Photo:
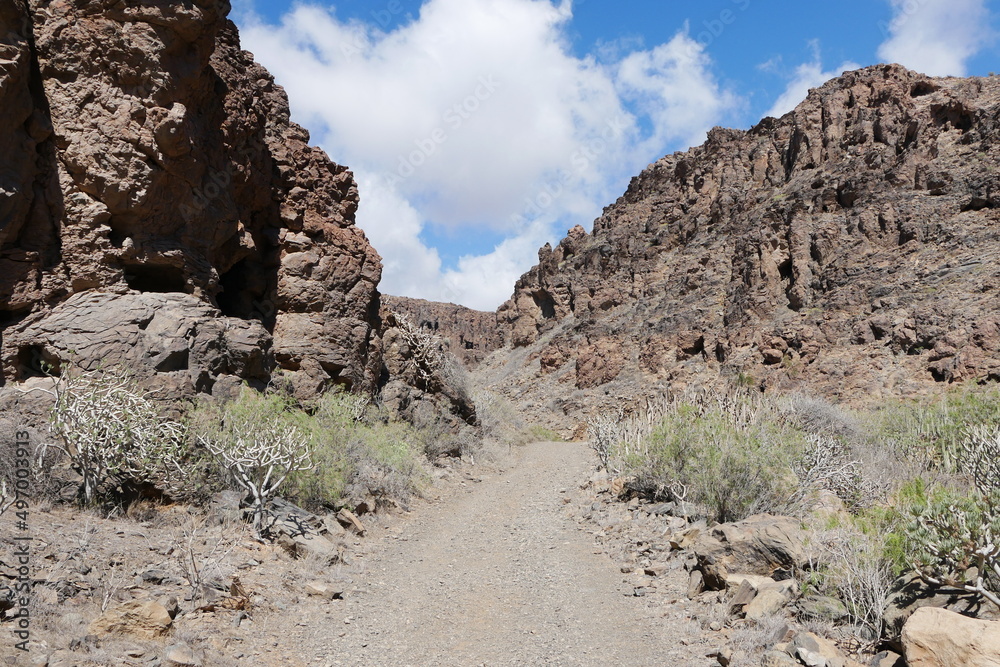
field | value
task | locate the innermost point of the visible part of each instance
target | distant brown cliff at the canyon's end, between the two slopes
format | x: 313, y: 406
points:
x: 470, y: 335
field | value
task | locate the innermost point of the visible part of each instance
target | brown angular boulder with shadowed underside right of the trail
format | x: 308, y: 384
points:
x: 764, y: 545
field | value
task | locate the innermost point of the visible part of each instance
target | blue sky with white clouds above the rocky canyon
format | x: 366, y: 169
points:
x: 479, y: 130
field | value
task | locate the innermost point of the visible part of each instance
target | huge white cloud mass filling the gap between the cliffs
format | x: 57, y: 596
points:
x: 476, y: 115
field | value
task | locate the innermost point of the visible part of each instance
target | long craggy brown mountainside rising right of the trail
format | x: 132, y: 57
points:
x: 849, y: 248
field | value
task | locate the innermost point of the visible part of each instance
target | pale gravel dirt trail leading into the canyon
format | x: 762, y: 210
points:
x: 499, y: 574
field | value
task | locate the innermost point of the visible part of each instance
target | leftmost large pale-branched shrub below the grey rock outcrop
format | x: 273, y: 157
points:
x: 110, y: 429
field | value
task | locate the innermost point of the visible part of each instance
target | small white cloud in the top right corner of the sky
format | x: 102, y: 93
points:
x: 935, y: 37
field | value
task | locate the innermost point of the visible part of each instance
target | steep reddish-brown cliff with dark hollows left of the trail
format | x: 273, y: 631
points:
x: 145, y: 152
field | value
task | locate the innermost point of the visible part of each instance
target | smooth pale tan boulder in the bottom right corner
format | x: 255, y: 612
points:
x: 940, y: 638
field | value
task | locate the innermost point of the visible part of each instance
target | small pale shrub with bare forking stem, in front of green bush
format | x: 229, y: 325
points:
x: 257, y: 439
